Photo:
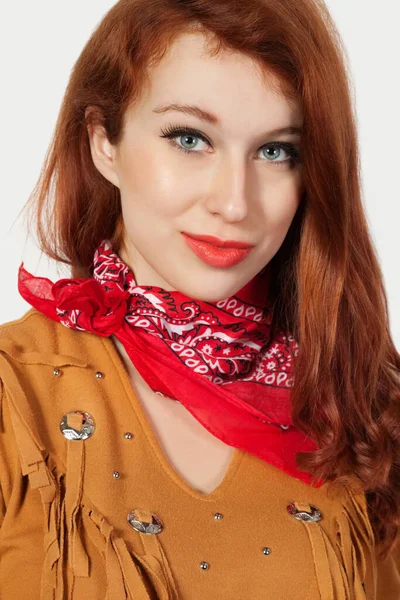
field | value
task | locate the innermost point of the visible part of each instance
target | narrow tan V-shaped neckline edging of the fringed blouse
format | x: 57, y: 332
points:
x: 237, y: 456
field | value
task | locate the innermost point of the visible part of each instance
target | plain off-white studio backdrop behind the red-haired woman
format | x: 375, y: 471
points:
x: 39, y: 44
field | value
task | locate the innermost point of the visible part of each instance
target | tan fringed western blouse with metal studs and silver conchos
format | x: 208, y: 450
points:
x: 92, y: 509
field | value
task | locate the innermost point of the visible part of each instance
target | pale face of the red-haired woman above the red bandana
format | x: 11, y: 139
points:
x: 233, y: 184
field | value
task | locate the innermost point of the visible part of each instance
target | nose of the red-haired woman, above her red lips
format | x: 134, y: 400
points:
x: 229, y: 194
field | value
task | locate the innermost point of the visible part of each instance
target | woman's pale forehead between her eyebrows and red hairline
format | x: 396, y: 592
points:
x: 230, y: 84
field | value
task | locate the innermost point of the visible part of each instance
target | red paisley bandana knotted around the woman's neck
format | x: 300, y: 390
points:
x: 217, y: 359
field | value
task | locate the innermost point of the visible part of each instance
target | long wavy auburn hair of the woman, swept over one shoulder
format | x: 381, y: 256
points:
x: 327, y: 286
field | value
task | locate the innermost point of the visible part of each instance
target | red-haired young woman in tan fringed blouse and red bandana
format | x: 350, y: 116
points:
x: 208, y: 408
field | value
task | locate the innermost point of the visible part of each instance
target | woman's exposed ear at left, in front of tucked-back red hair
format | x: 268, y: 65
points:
x: 103, y: 153
